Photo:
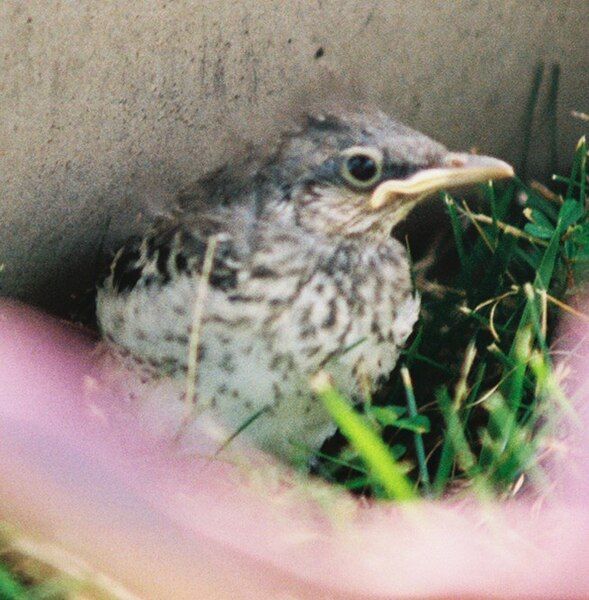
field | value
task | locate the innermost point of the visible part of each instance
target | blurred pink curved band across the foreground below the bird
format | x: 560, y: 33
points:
x: 76, y: 474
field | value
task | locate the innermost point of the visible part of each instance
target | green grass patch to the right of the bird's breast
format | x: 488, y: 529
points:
x: 472, y: 401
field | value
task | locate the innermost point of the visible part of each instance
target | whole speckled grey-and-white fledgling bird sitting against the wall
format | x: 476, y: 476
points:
x: 305, y: 276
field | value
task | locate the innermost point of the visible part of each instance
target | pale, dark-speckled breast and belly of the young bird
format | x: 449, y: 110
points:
x: 291, y: 314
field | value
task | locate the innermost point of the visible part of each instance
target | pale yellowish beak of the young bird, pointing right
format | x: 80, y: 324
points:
x: 456, y: 170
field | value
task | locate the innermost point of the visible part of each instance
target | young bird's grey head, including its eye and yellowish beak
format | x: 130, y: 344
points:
x: 357, y: 175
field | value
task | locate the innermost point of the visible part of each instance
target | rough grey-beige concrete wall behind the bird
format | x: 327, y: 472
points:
x: 107, y: 108
